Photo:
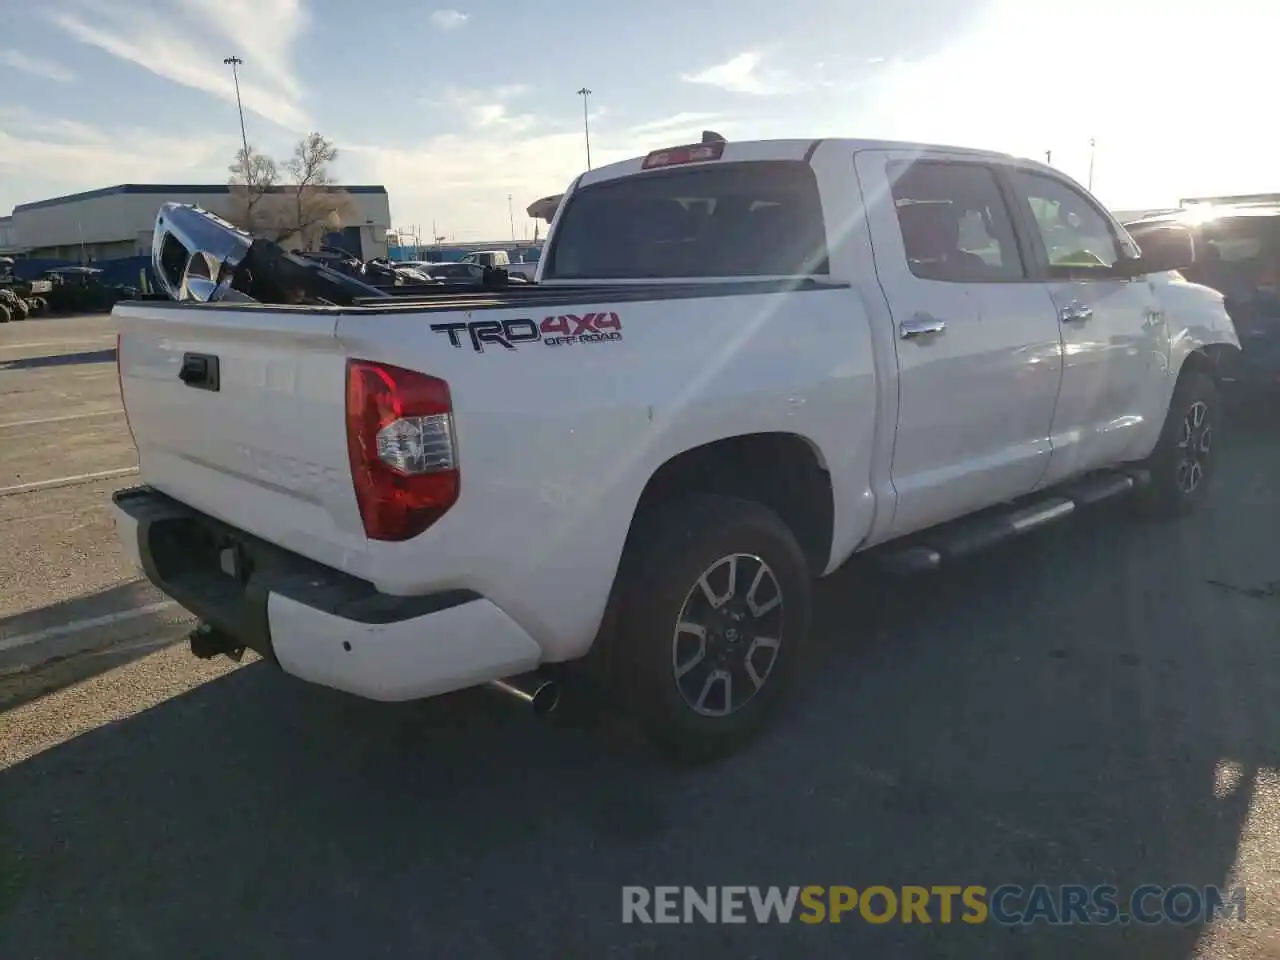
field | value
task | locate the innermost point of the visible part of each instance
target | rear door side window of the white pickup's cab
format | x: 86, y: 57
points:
x: 956, y: 223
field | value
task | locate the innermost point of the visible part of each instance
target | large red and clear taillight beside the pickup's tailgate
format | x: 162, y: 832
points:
x: 400, y: 438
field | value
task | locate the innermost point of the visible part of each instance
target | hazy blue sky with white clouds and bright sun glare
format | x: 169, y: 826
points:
x: 456, y: 107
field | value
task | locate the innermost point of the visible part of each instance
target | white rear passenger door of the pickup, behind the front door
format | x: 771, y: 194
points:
x: 979, y: 344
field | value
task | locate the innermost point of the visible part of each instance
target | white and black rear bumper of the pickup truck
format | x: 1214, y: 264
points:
x: 313, y: 621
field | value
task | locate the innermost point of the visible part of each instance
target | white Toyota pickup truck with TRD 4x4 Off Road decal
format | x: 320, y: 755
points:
x: 740, y: 365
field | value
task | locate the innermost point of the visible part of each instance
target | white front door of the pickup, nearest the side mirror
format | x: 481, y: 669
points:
x: 1114, y: 332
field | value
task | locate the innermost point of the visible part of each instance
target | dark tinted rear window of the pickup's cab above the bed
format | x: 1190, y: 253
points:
x: 749, y: 220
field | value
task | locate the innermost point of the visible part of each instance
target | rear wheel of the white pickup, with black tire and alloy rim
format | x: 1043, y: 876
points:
x: 715, y: 606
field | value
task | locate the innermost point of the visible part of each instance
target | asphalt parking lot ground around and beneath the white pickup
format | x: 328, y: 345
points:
x: 1095, y: 705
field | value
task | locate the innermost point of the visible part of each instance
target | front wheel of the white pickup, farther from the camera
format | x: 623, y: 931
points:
x: 1182, y: 465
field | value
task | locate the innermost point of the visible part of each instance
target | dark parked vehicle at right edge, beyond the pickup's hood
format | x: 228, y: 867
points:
x: 1238, y: 254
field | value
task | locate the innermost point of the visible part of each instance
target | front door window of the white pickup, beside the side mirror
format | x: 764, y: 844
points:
x: 1077, y: 237
